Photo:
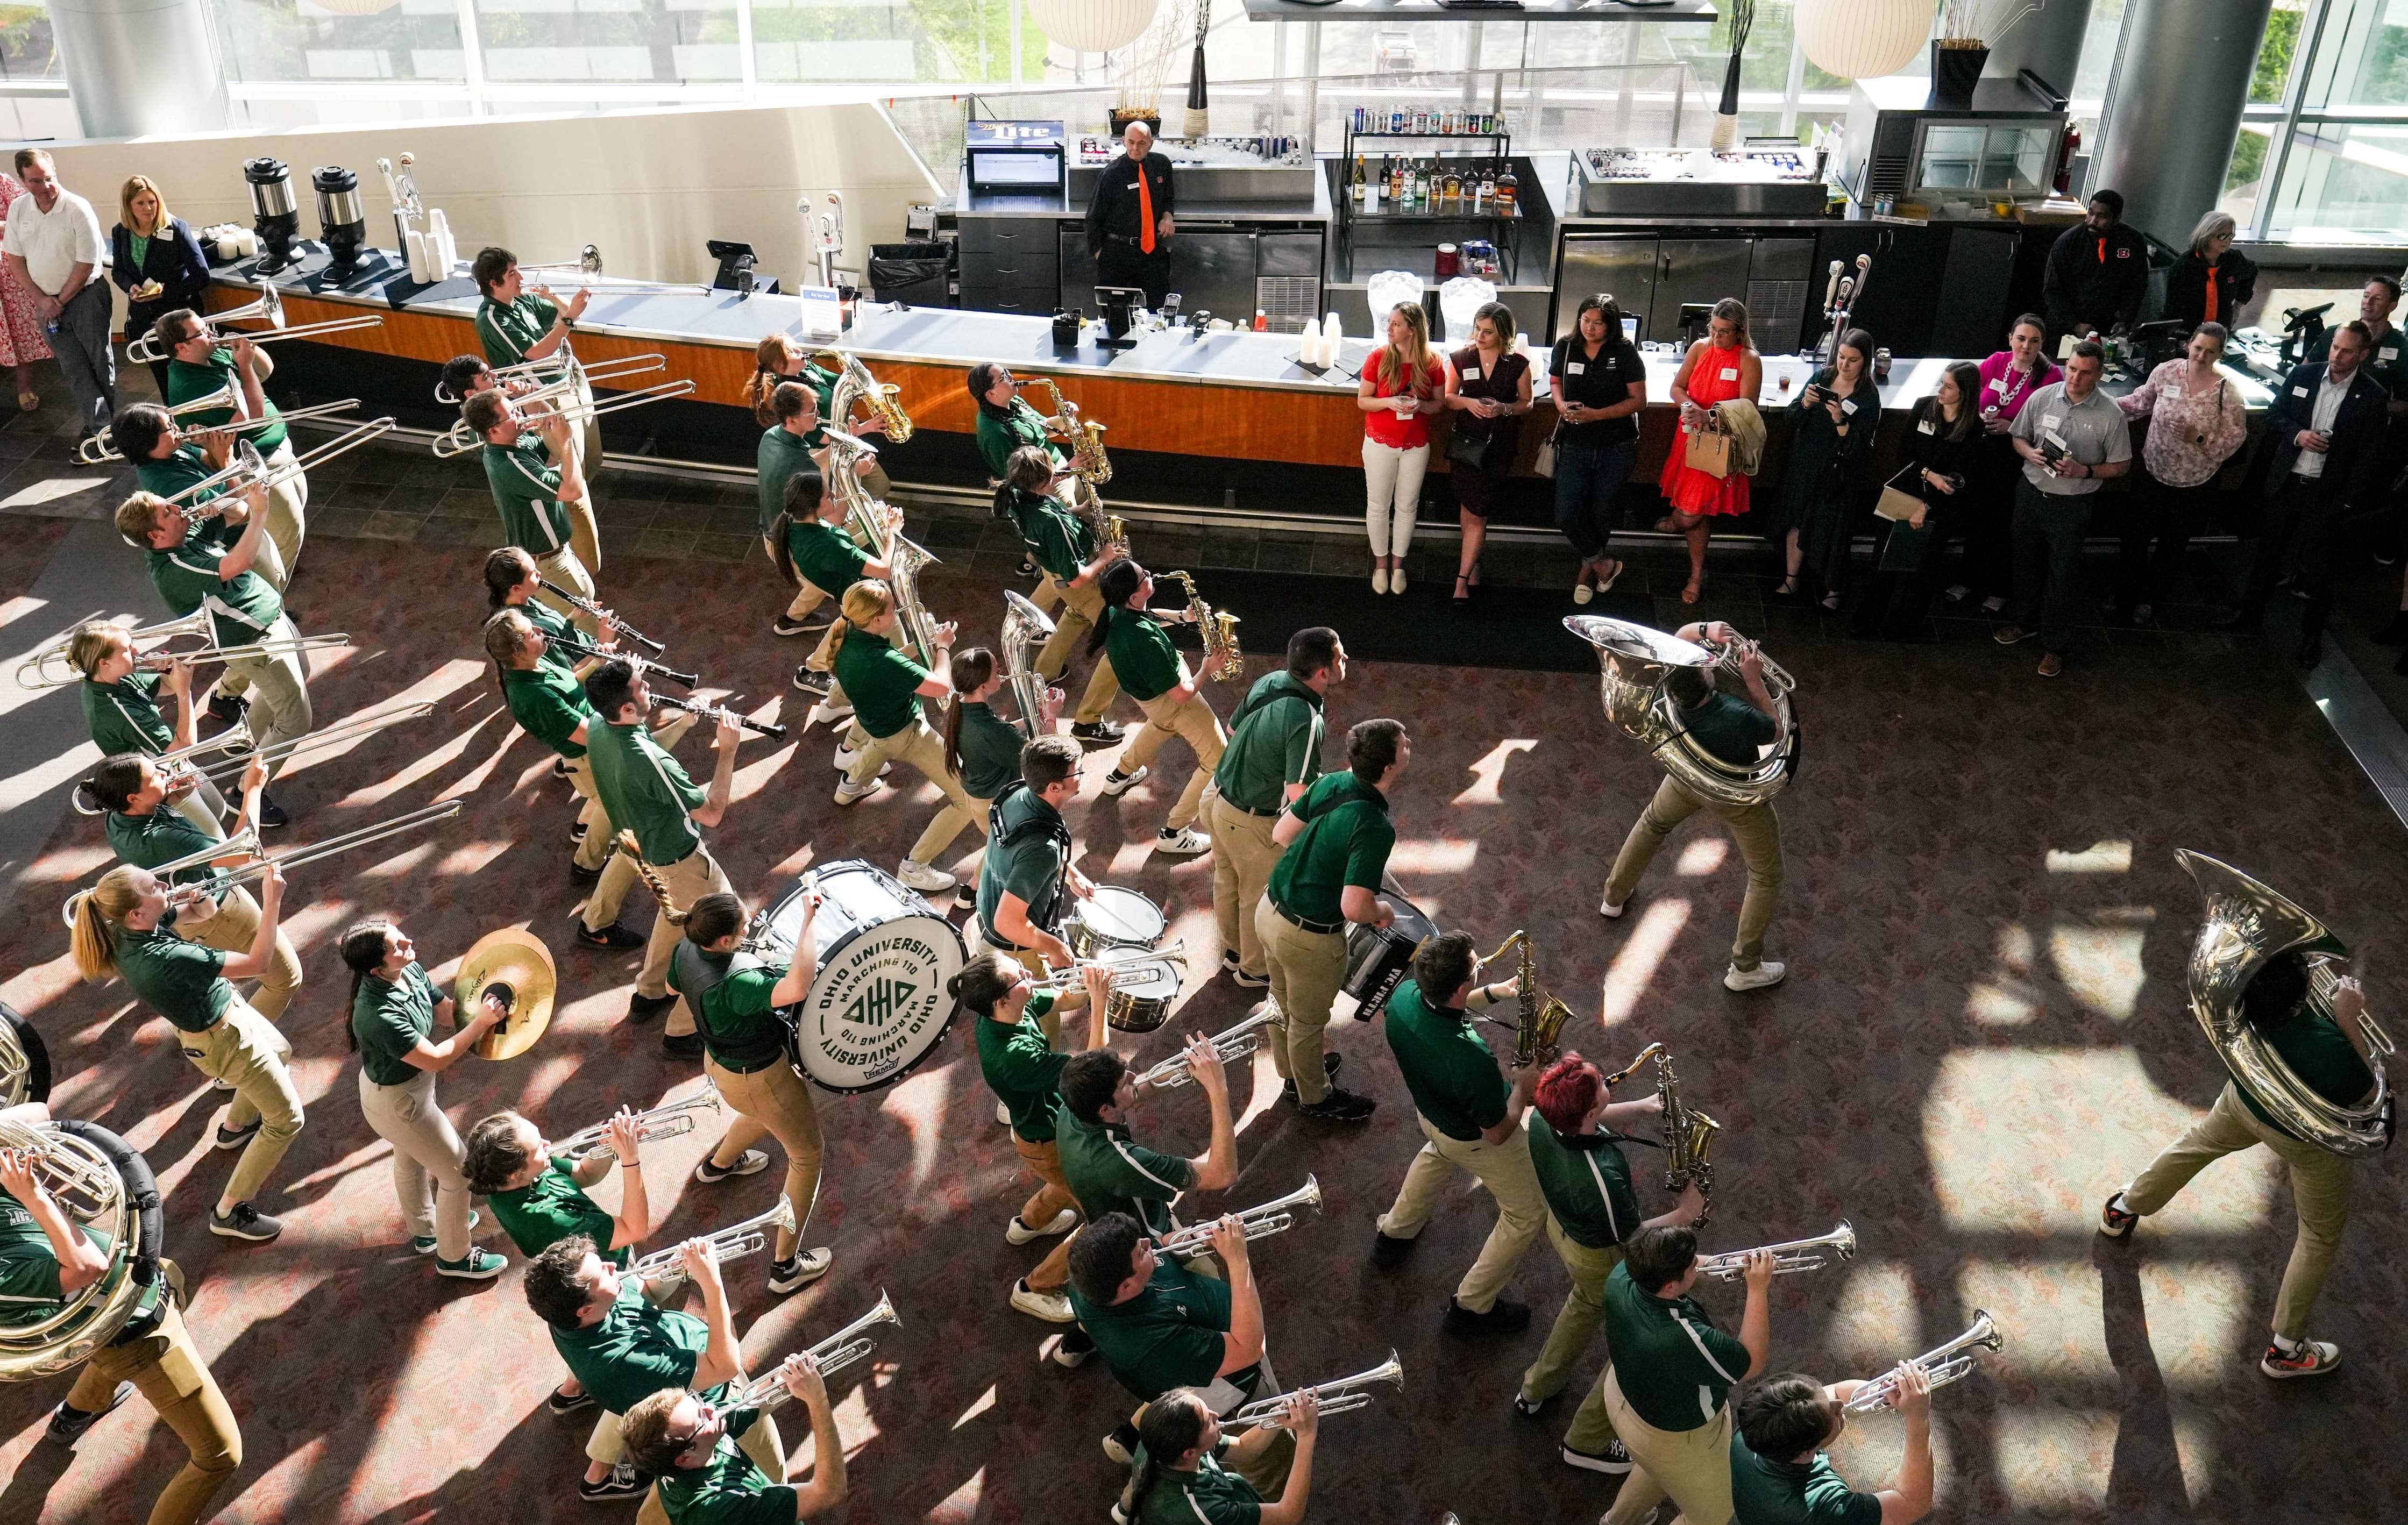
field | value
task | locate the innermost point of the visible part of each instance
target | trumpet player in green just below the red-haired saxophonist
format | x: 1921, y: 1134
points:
x: 1672, y: 1377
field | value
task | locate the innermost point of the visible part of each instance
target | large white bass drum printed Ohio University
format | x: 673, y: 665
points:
x: 880, y: 1001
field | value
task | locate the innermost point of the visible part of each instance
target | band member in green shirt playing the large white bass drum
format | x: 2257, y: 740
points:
x: 736, y: 999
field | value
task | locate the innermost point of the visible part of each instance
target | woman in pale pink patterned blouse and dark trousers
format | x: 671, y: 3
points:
x: 2195, y: 425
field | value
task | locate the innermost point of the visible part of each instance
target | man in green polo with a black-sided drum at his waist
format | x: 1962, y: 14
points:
x: 1333, y: 852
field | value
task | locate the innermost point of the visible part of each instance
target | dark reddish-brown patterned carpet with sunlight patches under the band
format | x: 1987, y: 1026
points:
x: 1981, y: 1037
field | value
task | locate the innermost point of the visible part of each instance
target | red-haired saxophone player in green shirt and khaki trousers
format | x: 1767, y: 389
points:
x: 1590, y: 1213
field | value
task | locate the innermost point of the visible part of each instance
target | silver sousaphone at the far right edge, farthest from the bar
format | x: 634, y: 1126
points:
x: 2245, y: 929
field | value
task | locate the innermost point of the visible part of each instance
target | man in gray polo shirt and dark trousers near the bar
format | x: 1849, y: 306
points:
x: 2072, y: 437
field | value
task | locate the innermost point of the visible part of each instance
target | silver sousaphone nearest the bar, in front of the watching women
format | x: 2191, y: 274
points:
x: 1636, y: 666
